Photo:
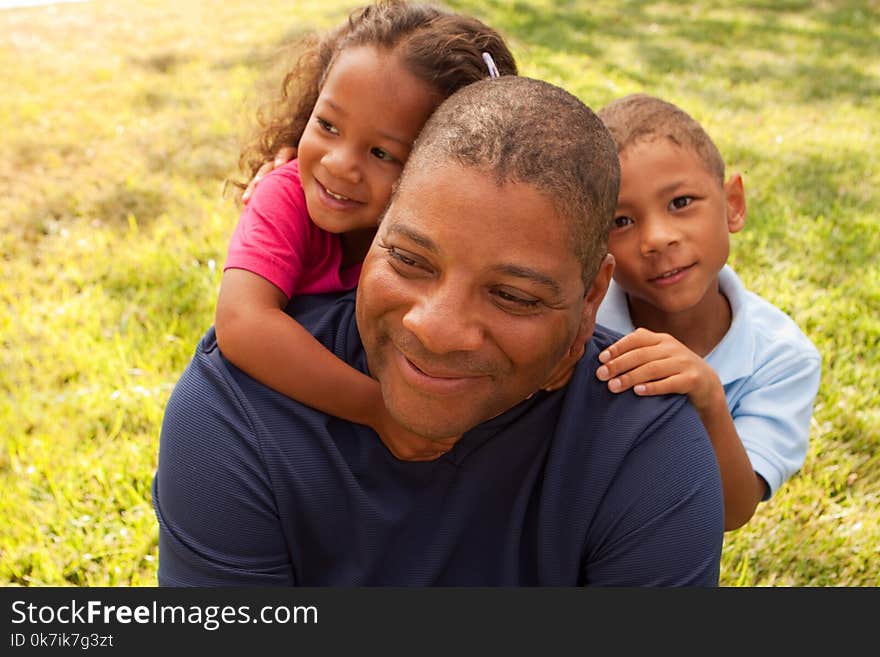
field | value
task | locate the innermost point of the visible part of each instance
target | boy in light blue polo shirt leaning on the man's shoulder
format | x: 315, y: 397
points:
x: 745, y: 365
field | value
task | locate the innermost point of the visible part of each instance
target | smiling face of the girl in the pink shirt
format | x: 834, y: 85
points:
x: 359, y: 135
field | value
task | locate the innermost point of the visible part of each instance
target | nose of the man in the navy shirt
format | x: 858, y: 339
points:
x: 445, y: 320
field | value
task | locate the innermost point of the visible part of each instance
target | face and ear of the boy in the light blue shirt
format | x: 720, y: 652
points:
x: 671, y: 230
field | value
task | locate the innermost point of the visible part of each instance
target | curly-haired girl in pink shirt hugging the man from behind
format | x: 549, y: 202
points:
x: 352, y: 107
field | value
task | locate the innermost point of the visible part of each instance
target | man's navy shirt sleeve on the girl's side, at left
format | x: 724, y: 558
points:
x: 210, y: 483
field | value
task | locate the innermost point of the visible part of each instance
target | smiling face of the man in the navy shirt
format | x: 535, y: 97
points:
x: 469, y: 296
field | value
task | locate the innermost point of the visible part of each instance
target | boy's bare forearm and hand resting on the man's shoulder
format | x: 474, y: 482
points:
x: 657, y: 364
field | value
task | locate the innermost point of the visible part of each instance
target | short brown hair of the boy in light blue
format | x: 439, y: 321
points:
x: 638, y: 117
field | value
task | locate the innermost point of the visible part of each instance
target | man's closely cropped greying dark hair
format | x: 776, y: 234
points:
x: 522, y: 130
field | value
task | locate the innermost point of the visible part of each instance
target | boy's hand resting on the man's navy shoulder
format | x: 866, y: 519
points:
x: 657, y: 364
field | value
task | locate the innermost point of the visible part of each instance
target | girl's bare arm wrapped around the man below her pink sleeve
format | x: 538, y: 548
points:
x: 259, y: 338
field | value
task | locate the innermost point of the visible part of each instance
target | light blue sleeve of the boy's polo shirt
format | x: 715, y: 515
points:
x: 773, y: 418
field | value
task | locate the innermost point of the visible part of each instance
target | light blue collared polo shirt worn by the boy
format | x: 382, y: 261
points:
x: 770, y: 372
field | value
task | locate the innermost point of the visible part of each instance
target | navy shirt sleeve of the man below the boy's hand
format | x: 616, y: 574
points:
x: 661, y: 521
